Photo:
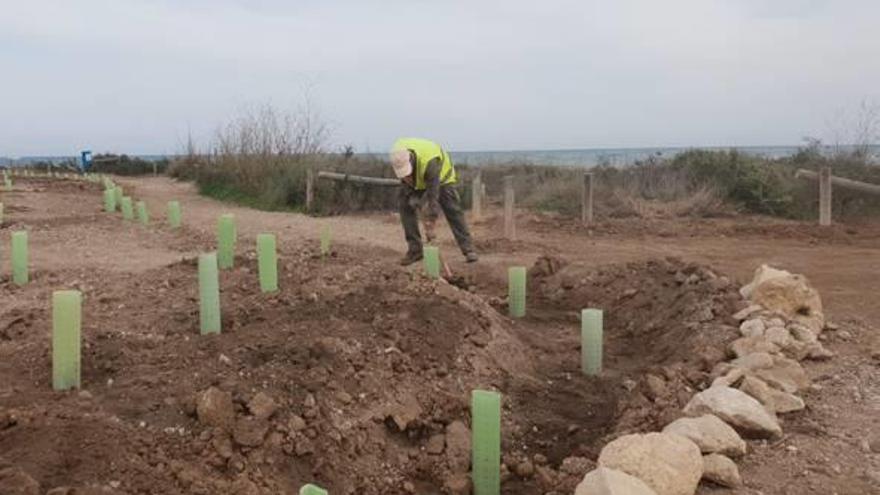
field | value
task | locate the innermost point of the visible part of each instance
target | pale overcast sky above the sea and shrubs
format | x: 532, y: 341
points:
x: 134, y: 76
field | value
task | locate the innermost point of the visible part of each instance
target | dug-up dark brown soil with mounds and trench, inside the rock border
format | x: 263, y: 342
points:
x: 355, y: 376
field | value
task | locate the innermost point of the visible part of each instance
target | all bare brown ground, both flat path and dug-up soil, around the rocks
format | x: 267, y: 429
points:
x: 357, y: 374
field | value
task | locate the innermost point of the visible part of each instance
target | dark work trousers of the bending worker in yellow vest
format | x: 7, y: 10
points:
x: 450, y: 203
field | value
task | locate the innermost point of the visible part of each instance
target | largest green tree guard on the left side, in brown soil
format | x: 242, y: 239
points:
x: 66, y: 322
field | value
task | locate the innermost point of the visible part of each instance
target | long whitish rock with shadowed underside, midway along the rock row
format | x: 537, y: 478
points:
x: 736, y: 408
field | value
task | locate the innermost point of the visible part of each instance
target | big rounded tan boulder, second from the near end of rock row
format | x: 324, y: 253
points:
x: 669, y: 464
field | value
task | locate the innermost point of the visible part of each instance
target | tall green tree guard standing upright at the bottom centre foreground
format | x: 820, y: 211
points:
x: 486, y: 439
